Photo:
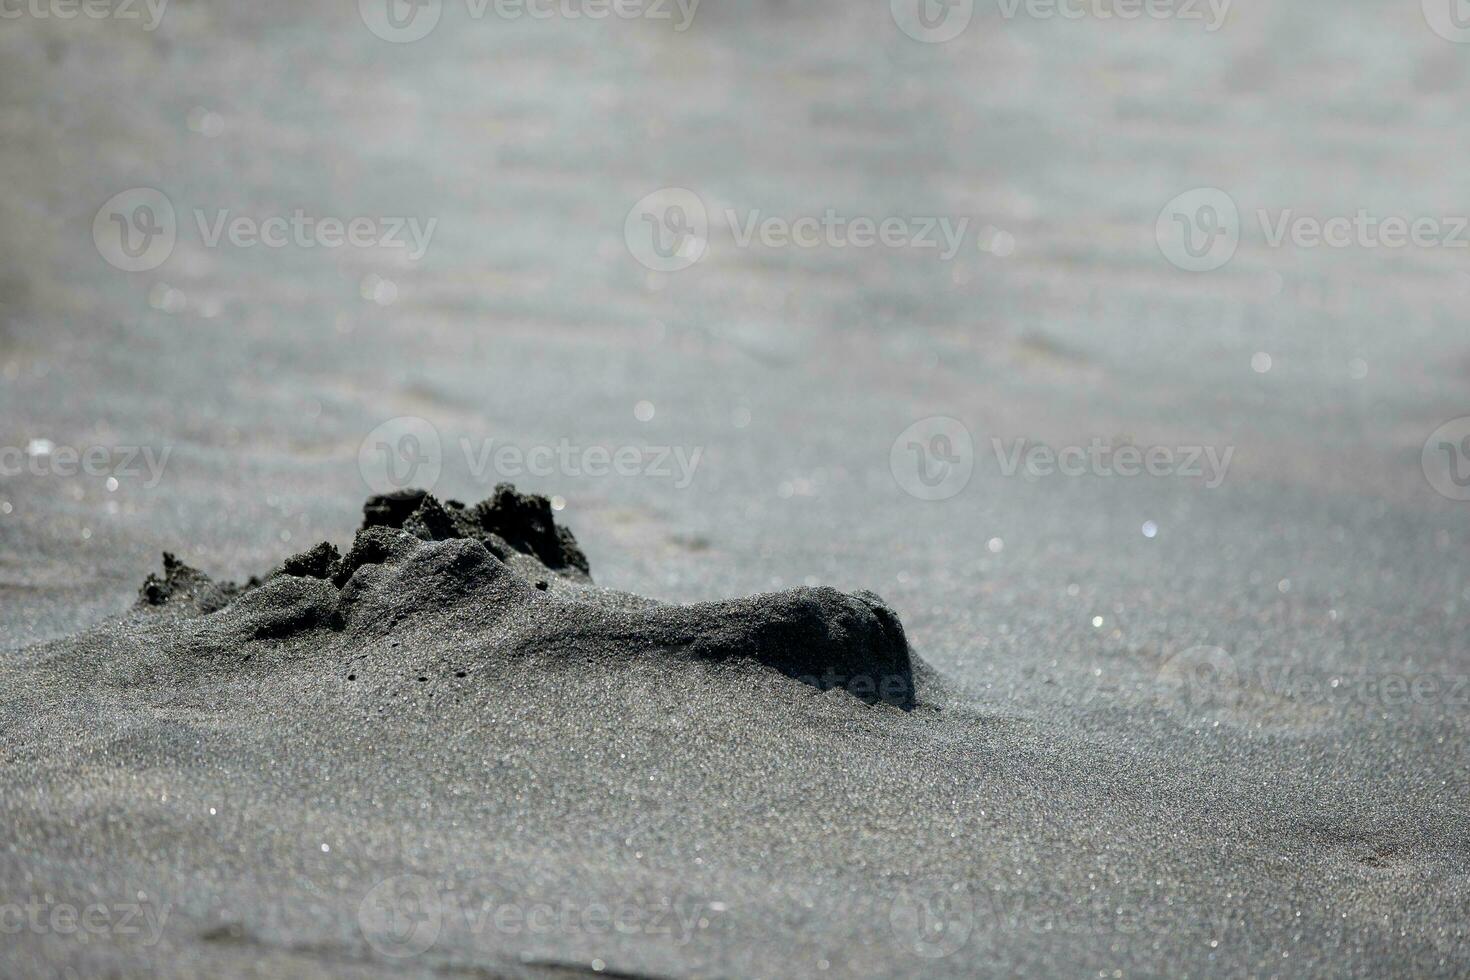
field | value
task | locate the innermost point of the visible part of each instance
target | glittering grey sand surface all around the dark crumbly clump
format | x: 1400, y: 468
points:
x: 1177, y: 725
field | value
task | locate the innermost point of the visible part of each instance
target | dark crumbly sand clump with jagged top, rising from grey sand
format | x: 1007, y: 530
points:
x: 505, y: 569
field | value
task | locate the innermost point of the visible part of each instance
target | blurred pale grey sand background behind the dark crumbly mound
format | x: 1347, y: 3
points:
x: 793, y: 371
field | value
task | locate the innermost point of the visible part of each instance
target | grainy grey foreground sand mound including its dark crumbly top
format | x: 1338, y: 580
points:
x: 446, y: 753
